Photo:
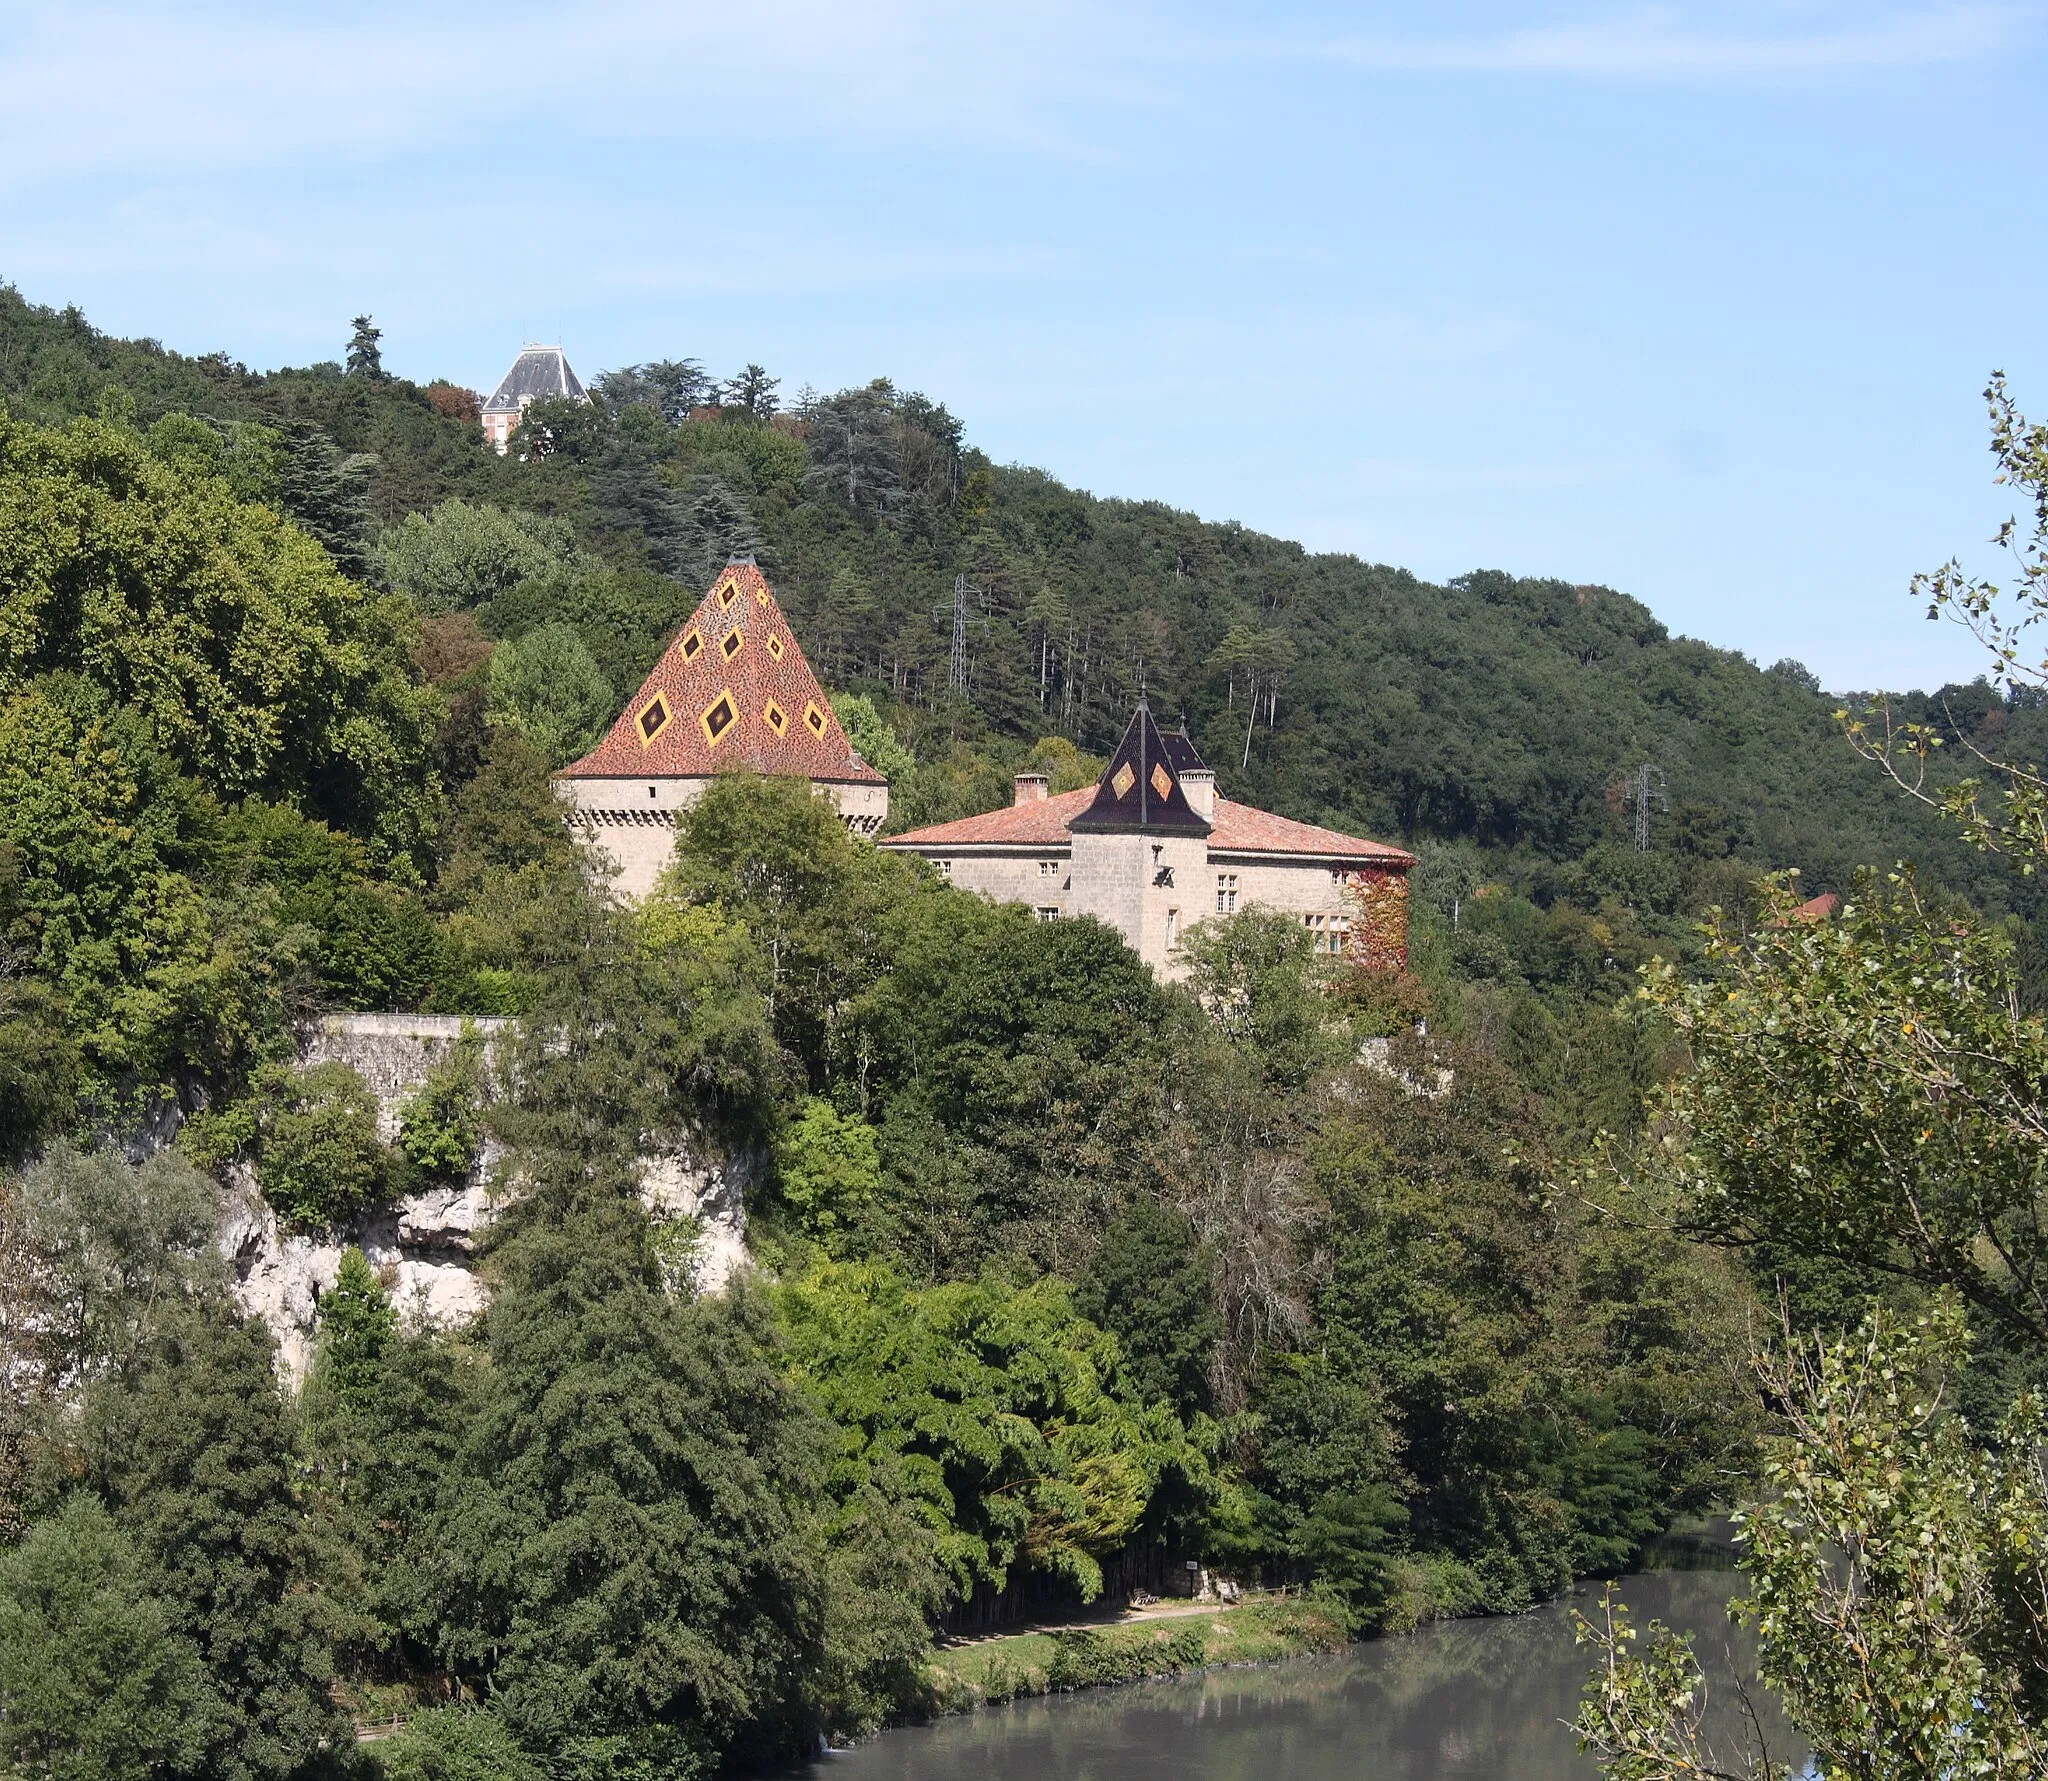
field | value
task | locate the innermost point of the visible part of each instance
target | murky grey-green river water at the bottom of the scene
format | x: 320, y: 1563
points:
x: 1474, y: 1700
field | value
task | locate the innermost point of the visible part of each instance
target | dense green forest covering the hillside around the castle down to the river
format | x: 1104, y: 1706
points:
x: 1066, y: 1276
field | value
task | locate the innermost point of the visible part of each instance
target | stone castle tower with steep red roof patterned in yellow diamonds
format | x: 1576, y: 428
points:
x: 732, y: 691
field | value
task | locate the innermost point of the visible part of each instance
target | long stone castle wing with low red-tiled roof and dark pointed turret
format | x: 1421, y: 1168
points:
x: 1152, y: 851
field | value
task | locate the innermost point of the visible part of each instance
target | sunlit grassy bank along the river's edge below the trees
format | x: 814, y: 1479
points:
x: 1039, y: 1663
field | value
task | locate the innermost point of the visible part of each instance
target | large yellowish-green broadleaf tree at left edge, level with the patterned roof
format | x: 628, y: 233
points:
x: 220, y: 625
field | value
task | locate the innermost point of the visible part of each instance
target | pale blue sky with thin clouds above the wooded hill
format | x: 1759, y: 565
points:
x: 1689, y: 300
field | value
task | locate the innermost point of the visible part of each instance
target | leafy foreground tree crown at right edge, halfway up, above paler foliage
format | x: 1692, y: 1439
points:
x: 1867, y: 1092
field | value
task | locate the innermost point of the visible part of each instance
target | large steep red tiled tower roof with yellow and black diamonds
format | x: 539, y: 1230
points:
x: 732, y: 691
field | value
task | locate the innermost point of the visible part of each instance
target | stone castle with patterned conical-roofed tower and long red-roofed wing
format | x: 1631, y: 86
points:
x: 1152, y: 851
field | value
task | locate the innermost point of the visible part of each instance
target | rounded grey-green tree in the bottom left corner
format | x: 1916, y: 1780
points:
x: 97, y: 1684
